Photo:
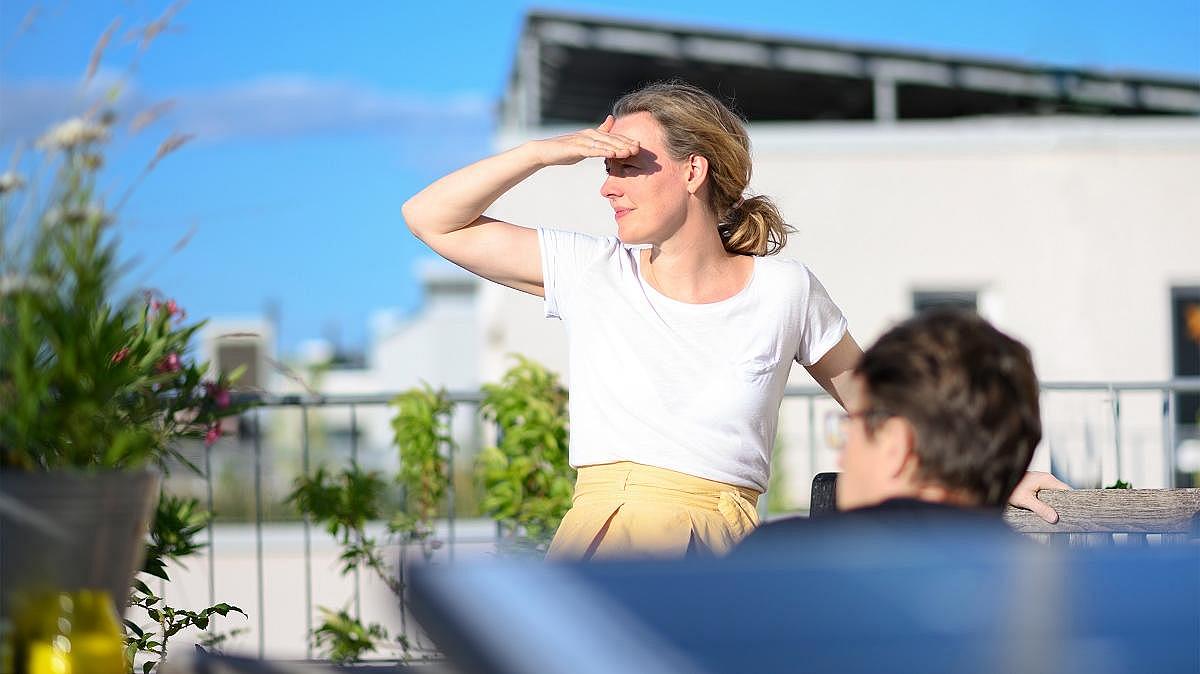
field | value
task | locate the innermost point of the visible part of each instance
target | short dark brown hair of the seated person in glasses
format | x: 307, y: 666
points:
x: 970, y: 394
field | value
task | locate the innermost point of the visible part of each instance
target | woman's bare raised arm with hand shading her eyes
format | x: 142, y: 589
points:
x: 448, y: 214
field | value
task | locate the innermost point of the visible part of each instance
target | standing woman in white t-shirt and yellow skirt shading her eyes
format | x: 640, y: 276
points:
x: 681, y: 330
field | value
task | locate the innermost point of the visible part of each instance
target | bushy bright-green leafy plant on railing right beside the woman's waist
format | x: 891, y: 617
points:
x: 527, y: 474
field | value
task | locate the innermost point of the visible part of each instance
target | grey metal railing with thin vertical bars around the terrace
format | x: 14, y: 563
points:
x: 1114, y: 392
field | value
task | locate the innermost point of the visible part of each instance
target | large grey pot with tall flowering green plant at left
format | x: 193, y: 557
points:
x: 97, y: 383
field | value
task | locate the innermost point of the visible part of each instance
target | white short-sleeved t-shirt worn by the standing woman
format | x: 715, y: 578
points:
x: 689, y: 388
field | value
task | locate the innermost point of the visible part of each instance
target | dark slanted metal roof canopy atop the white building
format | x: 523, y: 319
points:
x: 571, y: 68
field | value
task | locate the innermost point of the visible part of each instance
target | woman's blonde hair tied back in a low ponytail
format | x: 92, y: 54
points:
x: 695, y: 123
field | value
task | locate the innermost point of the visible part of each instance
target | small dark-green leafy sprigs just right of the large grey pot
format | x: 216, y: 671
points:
x: 177, y: 523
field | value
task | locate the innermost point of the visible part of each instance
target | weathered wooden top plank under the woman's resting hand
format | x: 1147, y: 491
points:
x: 1112, y: 511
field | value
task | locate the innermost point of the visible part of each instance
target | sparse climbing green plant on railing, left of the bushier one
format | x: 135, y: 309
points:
x: 345, y: 502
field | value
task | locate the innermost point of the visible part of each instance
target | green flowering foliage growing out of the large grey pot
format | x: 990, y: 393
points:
x: 92, y: 377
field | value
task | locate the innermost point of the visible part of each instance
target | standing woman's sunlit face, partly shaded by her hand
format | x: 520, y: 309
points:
x: 649, y: 191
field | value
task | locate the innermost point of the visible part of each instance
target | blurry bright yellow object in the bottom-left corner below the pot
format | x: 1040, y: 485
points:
x: 81, y: 637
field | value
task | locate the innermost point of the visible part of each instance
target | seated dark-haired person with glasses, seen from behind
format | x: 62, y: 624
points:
x: 943, y: 429
